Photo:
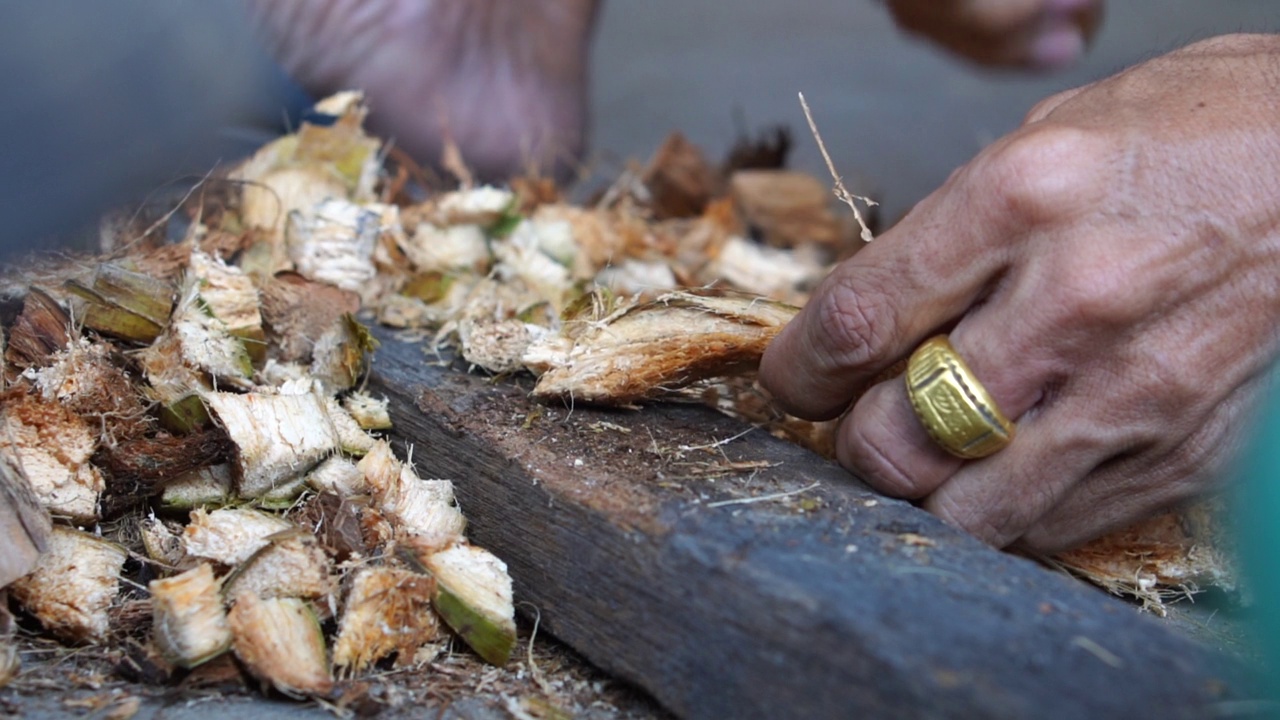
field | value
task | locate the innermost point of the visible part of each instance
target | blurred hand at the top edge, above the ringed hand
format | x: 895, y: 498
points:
x: 1035, y: 34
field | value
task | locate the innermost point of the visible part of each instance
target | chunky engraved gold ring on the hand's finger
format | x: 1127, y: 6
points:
x: 952, y: 404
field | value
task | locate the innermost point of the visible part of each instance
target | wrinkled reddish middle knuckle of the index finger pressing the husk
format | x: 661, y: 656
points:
x: 856, y: 323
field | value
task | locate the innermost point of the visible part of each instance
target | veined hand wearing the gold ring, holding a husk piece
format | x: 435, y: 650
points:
x: 1112, y: 275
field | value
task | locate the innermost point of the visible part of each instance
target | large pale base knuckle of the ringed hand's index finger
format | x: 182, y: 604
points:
x: 1044, y: 174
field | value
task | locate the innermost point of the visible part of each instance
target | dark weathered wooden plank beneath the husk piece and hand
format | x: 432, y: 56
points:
x: 627, y: 531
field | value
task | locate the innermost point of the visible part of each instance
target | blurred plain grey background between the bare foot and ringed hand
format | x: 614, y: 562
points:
x: 893, y: 111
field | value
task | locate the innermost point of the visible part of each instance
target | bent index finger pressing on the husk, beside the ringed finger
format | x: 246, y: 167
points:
x: 875, y: 308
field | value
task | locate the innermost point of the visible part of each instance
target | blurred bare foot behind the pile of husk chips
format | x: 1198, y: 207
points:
x: 506, y: 81
